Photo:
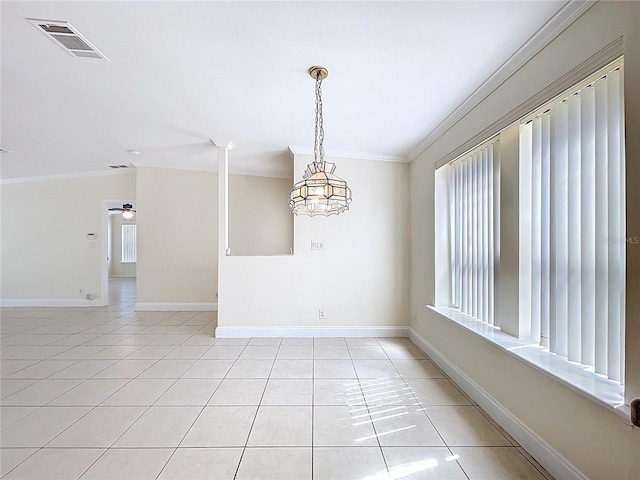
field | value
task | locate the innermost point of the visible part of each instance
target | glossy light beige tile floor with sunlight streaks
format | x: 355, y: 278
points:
x: 110, y: 393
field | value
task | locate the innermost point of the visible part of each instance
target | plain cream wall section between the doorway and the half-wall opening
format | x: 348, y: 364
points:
x: 177, y: 237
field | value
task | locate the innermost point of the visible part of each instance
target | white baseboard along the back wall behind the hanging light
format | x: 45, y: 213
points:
x: 297, y: 332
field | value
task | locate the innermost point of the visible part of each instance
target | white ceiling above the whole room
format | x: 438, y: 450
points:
x: 181, y: 74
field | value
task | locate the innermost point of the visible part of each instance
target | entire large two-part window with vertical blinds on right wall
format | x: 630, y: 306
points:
x: 556, y: 191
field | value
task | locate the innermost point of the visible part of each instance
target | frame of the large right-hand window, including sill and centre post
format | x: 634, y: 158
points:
x: 517, y: 343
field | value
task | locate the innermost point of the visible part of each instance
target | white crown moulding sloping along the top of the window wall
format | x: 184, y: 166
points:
x: 545, y: 34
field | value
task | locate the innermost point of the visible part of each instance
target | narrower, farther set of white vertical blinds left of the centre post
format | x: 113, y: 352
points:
x: 472, y: 232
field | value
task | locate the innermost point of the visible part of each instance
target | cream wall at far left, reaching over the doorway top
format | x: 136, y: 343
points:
x: 45, y: 252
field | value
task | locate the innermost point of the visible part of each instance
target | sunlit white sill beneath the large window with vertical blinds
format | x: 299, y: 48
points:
x: 578, y: 378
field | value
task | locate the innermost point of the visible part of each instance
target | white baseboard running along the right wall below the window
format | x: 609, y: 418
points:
x: 556, y: 464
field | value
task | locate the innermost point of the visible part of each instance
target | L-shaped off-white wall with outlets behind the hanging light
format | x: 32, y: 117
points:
x: 360, y: 279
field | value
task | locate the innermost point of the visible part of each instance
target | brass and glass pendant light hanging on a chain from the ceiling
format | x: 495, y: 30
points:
x: 320, y: 192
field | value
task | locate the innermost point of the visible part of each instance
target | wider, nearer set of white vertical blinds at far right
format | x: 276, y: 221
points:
x: 576, y: 149
